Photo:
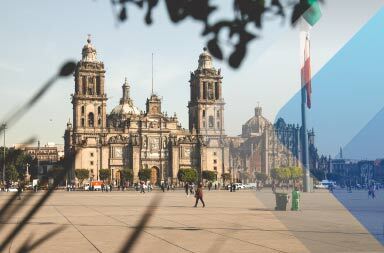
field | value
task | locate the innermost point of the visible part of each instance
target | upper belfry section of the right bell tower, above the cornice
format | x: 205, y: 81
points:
x: 206, y: 105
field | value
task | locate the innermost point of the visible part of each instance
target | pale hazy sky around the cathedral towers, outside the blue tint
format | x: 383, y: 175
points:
x: 38, y: 36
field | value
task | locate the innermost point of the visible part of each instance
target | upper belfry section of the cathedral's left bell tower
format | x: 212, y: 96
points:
x: 89, y: 100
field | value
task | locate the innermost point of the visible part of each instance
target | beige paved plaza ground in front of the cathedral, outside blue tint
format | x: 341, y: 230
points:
x: 243, y: 221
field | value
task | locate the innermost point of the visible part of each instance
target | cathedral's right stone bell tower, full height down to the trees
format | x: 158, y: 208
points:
x: 206, y: 116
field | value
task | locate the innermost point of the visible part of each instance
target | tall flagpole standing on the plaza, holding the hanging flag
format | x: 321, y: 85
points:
x: 304, y: 135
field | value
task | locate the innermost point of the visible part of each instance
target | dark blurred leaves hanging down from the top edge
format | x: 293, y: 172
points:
x: 247, y: 21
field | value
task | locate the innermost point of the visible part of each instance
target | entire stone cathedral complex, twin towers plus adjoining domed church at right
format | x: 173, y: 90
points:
x: 129, y: 138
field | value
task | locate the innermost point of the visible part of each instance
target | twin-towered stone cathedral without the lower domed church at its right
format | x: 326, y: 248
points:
x: 129, y: 138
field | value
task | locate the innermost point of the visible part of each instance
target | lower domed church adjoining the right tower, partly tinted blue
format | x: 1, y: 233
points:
x: 263, y: 146
